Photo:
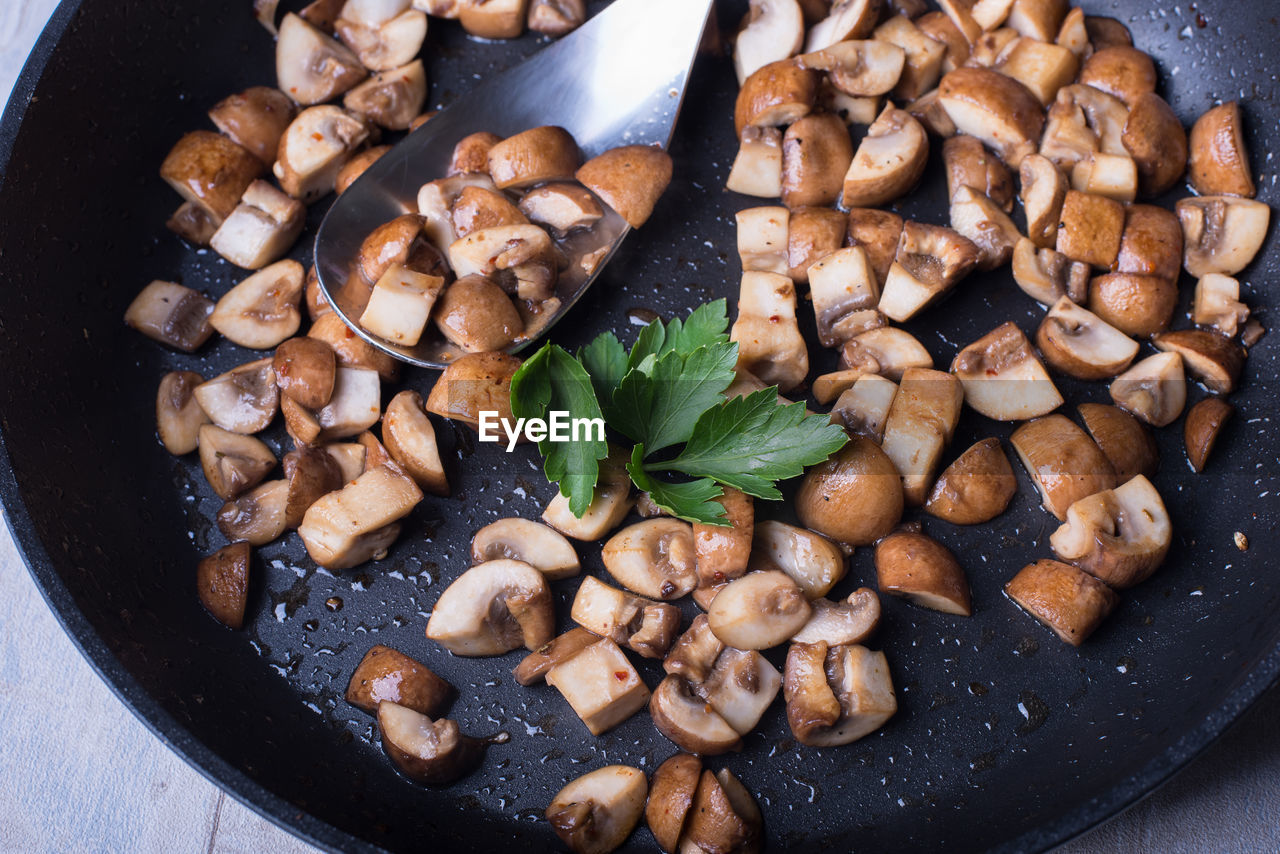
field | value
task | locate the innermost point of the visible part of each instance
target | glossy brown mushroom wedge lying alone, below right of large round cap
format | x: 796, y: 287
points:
x: 924, y: 572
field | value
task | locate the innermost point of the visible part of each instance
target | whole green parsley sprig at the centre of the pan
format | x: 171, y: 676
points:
x: 668, y: 398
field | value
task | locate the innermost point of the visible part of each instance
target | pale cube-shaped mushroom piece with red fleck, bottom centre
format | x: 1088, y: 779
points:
x: 601, y: 686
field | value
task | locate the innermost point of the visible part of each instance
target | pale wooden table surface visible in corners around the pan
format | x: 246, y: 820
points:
x: 118, y: 788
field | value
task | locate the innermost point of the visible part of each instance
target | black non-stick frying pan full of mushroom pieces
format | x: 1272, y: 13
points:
x: 1005, y: 738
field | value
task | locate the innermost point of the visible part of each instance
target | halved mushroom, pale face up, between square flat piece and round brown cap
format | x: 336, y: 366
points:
x: 1080, y: 344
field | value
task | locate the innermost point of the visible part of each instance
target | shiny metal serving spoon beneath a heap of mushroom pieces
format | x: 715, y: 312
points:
x: 619, y: 80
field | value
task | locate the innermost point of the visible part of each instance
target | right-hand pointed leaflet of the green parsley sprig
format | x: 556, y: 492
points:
x: 752, y: 442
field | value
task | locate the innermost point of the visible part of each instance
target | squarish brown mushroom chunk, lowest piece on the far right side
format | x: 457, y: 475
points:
x: 1069, y: 601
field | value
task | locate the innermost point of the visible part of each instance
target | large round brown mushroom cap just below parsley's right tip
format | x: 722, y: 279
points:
x: 856, y: 497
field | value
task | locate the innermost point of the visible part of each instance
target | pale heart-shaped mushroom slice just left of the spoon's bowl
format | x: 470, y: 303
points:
x: 263, y: 310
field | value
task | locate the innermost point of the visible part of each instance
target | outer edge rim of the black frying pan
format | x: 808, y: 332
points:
x: 314, y: 830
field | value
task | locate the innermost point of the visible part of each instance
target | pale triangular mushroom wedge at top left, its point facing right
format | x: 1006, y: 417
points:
x: 310, y: 67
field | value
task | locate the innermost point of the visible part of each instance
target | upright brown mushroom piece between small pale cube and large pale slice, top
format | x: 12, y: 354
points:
x: 816, y: 156
